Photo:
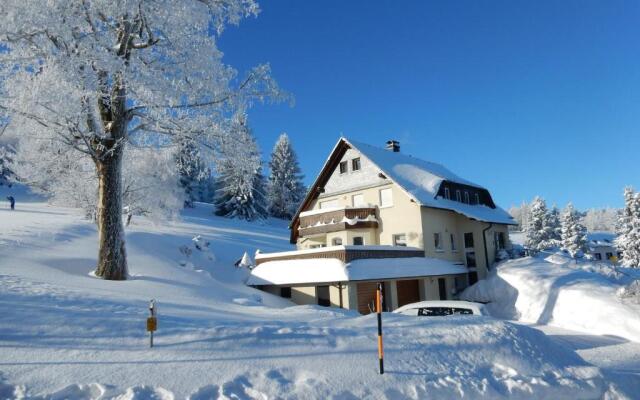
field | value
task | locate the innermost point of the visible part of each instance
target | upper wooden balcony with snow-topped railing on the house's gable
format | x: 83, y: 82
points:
x: 334, y: 220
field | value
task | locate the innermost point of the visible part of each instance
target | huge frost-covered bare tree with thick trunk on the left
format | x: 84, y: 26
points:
x: 95, y: 75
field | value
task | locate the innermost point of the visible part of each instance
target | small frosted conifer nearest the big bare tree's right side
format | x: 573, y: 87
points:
x: 192, y: 170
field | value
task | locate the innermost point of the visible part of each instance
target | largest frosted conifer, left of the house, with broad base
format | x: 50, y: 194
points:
x: 240, y: 191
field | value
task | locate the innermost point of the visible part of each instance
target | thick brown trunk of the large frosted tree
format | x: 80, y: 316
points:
x: 112, y: 257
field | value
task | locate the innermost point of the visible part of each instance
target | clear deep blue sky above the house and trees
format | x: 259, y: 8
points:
x: 524, y: 98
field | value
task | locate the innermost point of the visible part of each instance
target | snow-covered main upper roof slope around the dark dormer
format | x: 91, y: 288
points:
x: 422, y: 179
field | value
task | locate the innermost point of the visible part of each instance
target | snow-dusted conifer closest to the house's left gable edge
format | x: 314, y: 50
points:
x: 285, y: 189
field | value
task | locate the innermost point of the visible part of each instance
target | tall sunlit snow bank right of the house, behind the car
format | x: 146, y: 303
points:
x: 558, y: 292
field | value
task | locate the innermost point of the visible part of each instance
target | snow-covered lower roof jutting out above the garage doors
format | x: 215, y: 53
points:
x: 327, y: 270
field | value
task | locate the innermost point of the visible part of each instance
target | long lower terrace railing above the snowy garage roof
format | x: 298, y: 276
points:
x: 343, y: 253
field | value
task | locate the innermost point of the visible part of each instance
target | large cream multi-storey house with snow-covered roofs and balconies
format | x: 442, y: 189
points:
x: 378, y: 215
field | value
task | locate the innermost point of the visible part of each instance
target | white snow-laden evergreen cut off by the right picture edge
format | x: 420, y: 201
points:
x: 628, y: 240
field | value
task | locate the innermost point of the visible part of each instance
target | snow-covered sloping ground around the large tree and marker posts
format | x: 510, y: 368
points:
x: 67, y: 335
